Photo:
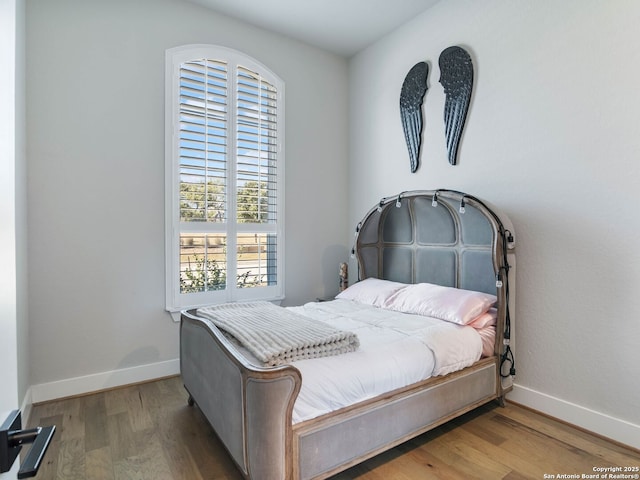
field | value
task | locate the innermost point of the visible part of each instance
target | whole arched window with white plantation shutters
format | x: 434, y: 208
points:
x: 224, y: 178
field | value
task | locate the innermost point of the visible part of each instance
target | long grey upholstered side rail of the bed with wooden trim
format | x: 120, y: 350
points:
x: 329, y: 444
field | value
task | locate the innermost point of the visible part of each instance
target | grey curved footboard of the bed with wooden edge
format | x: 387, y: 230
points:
x: 249, y: 407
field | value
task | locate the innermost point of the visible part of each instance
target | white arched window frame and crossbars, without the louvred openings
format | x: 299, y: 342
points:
x: 176, y: 301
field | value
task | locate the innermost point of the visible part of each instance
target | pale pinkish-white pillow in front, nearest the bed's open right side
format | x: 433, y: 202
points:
x: 446, y: 303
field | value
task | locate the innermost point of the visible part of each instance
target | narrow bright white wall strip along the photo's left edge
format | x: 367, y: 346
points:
x: 14, y: 335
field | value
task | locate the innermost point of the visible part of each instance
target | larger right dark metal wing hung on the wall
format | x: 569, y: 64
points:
x: 456, y: 76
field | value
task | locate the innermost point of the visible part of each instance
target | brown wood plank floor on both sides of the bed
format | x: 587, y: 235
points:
x: 147, y: 432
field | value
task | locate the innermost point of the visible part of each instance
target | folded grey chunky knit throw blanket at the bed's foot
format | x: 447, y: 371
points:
x: 276, y: 335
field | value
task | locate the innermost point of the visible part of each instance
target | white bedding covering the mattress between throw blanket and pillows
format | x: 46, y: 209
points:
x: 396, y: 350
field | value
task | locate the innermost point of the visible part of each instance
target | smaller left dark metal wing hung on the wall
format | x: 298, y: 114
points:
x: 413, y: 90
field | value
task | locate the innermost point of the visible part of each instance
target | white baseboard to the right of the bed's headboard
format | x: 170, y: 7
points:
x: 616, y: 429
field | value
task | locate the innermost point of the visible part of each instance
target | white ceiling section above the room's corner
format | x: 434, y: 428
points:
x: 341, y: 26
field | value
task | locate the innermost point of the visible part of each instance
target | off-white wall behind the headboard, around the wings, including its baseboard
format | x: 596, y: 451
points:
x: 552, y: 138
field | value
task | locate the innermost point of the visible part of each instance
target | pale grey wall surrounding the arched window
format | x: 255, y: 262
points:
x: 95, y: 117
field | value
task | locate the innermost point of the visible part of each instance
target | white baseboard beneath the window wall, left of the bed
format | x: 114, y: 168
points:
x: 101, y: 381
